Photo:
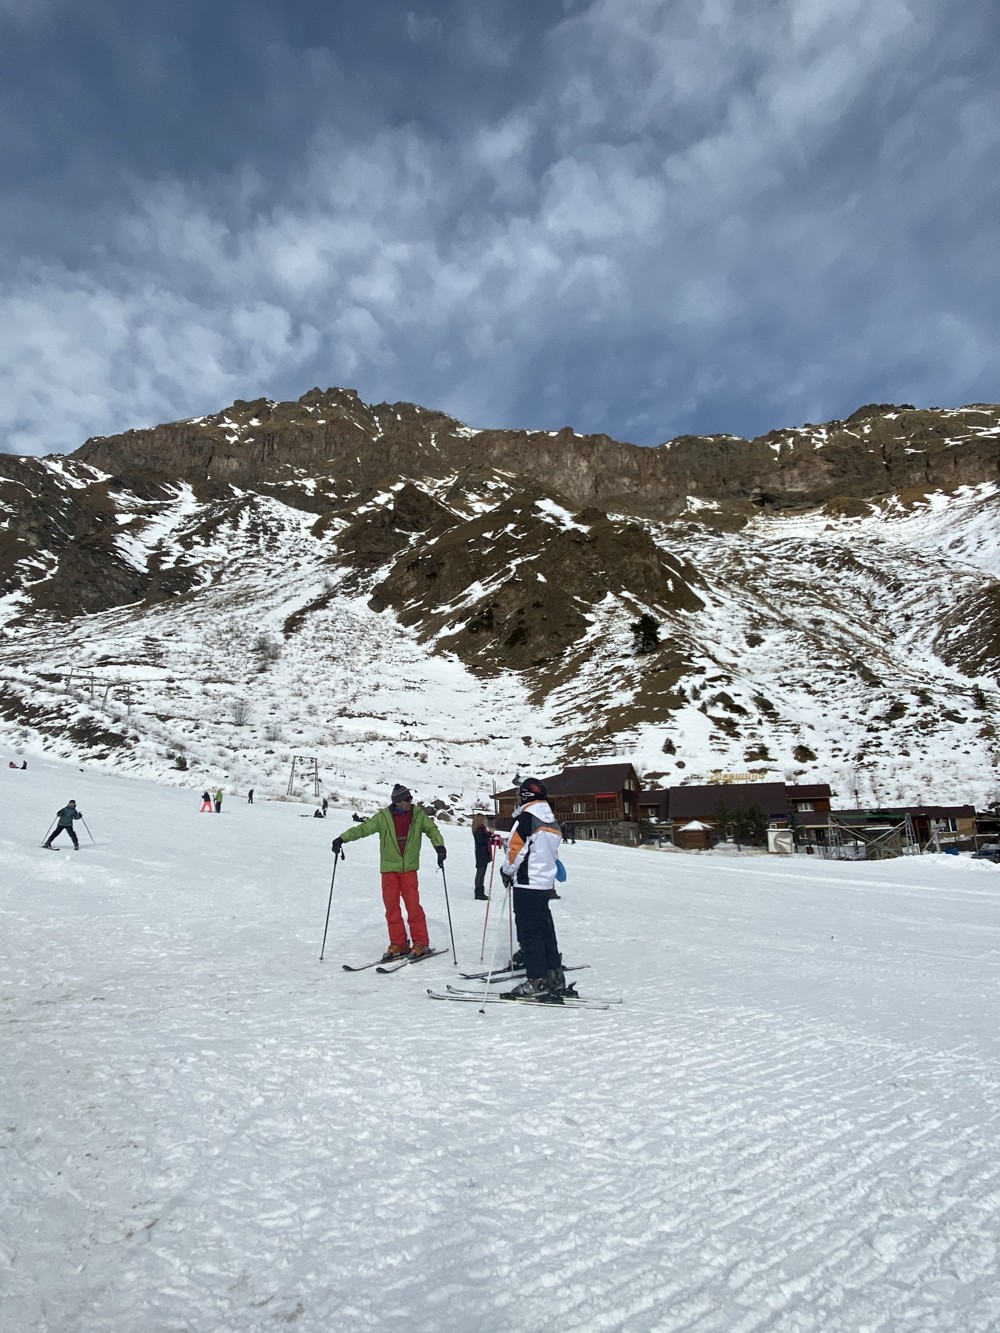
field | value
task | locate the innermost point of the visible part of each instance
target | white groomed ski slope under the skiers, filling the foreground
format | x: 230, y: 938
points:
x: 790, y: 1126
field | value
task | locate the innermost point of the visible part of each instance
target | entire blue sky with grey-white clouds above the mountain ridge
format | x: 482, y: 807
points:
x: 637, y: 217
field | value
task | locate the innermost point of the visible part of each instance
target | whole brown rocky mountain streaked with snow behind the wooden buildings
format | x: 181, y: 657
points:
x: 395, y: 595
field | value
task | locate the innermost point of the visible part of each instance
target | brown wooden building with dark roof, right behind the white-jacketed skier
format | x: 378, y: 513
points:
x: 597, y: 800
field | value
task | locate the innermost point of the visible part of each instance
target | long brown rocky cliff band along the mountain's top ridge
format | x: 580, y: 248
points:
x: 346, y: 447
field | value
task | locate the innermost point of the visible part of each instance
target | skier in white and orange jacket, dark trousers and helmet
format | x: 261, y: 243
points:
x: 530, y: 872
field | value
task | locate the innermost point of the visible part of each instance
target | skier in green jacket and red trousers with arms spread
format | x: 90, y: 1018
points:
x: 401, y: 827
